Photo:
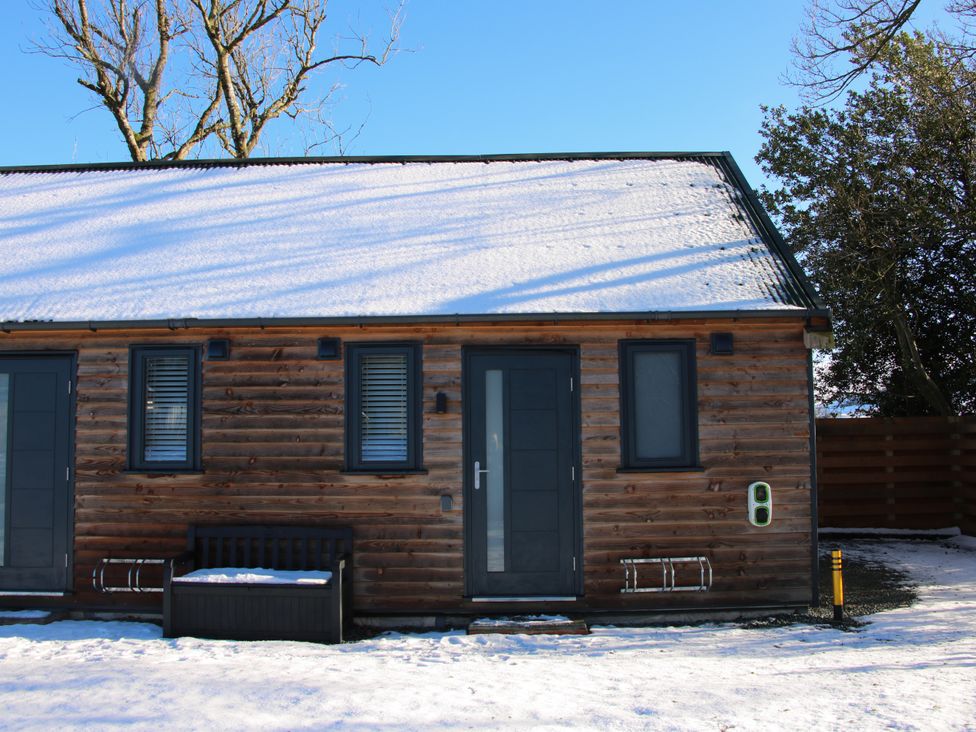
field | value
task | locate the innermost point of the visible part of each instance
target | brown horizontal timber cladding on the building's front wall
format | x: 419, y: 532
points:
x: 272, y: 450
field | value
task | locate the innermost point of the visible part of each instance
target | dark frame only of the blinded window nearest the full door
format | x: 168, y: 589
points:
x: 353, y: 355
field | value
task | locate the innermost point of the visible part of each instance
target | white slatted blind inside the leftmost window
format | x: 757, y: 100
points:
x: 167, y: 395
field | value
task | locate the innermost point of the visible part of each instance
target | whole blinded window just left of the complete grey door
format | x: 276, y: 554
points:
x: 383, y: 420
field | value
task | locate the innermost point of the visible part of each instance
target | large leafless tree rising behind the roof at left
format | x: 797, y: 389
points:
x: 176, y: 73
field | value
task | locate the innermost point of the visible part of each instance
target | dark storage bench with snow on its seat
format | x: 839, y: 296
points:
x: 313, y: 610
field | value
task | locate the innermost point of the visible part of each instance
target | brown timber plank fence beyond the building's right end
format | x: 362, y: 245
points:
x: 903, y: 473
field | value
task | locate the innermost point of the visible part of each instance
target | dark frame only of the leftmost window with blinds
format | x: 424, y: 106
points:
x: 137, y: 410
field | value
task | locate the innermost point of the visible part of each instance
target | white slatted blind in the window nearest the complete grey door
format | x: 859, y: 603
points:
x: 383, y: 400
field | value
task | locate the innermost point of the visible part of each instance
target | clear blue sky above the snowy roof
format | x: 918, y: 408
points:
x: 485, y: 77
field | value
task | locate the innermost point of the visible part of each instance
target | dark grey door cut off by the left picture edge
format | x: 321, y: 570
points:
x: 35, y: 483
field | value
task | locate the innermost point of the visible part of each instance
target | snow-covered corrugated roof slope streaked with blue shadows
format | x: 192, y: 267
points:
x: 340, y: 239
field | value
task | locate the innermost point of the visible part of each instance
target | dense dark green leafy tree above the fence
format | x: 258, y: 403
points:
x: 877, y: 199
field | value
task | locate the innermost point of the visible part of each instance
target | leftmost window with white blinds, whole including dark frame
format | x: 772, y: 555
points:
x: 164, y: 431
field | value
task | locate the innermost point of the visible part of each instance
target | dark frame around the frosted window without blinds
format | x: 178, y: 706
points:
x: 689, y: 458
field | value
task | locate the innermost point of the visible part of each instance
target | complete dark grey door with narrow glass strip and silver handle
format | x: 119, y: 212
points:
x: 520, y: 466
